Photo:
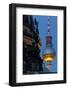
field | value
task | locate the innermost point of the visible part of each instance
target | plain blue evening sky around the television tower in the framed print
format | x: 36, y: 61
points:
x: 43, y: 28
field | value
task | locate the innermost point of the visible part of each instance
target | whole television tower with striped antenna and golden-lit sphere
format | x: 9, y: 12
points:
x: 49, y: 53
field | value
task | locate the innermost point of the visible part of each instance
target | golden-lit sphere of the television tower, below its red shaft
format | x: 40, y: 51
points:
x: 49, y: 54
